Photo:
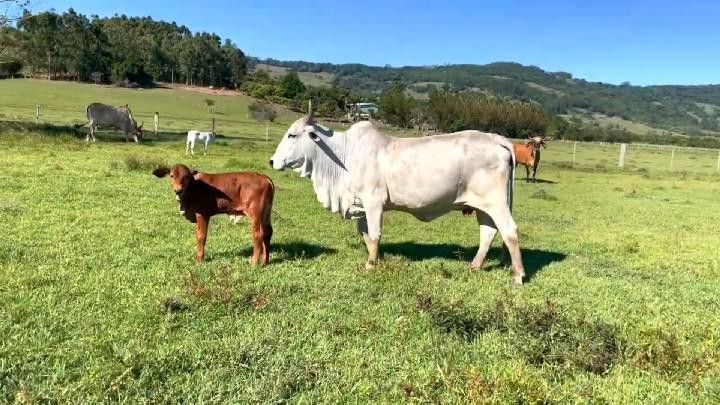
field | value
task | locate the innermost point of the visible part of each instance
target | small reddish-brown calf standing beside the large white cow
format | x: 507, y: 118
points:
x: 240, y: 194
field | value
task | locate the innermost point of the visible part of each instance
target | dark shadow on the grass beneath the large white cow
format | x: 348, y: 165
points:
x: 534, y: 260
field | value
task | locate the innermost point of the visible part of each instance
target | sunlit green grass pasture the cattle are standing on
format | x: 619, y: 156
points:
x: 102, y: 301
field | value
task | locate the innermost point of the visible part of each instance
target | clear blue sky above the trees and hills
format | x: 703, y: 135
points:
x: 643, y: 42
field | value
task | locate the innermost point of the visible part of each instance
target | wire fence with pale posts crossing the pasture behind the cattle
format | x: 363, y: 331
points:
x: 567, y: 153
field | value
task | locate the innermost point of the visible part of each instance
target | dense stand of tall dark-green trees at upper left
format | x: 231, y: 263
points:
x: 122, y: 49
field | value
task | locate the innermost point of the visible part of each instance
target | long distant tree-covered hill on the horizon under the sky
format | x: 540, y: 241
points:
x: 692, y: 110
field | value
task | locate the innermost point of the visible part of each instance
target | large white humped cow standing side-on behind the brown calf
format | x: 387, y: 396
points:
x: 361, y: 173
